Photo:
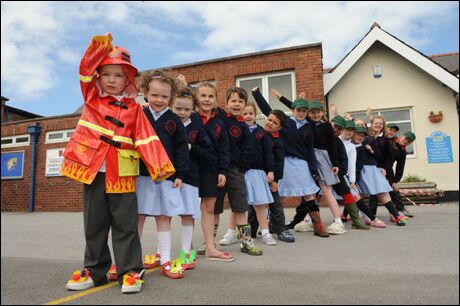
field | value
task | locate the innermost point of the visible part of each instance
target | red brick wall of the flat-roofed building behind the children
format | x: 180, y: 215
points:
x: 63, y: 194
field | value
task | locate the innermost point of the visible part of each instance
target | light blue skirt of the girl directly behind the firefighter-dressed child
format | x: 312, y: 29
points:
x: 158, y: 198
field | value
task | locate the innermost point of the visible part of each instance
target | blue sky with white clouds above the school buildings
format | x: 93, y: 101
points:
x: 42, y: 42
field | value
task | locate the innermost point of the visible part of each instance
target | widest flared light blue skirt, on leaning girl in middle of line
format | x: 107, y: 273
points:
x: 297, y: 180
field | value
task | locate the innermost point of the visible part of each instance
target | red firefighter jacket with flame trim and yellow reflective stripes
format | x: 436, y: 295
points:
x: 111, y: 130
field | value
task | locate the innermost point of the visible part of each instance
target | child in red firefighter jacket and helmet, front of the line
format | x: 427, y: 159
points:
x: 104, y: 151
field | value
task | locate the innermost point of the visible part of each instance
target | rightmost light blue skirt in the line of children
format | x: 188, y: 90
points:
x: 372, y: 181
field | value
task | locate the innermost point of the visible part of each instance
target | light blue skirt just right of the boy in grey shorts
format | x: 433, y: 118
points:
x: 258, y: 191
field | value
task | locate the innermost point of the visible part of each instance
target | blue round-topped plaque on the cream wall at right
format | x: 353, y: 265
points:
x: 439, y: 148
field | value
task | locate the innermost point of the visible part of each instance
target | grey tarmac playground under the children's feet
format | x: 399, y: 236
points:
x: 415, y: 264
